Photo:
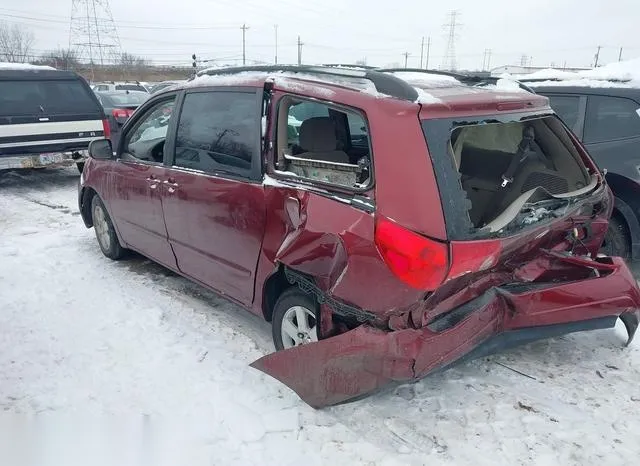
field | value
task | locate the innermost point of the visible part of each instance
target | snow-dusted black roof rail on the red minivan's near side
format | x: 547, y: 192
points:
x: 384, y: 83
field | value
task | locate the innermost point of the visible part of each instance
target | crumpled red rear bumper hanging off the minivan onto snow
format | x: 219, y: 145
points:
x: 357, y: 362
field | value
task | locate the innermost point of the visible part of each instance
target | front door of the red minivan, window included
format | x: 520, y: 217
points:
x: 135, y: 184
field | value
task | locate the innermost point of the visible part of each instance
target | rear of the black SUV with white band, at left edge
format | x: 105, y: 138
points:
x: 54, y: 113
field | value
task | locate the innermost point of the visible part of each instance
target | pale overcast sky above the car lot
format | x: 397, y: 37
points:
x: 343, y: 31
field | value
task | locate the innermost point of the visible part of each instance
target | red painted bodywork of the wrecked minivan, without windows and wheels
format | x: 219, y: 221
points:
x: 397, y: 262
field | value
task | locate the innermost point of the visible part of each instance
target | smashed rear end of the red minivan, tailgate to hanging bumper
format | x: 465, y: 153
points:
x: 525, y: 211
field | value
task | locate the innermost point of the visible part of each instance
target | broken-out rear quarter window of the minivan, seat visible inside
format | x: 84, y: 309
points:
x: 323, y: 142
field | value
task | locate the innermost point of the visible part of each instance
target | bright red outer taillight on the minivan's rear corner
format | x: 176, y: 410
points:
x: 419, y: 262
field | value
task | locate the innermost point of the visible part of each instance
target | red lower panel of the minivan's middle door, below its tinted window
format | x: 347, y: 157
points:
x: 215, y: 227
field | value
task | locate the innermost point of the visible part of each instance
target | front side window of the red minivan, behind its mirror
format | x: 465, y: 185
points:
x: 146, y: 139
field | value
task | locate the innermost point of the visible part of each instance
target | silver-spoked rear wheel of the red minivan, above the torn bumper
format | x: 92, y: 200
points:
x: 291, y: 304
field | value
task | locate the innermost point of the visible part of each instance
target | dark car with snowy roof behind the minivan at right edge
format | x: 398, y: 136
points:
x: 607, y: 121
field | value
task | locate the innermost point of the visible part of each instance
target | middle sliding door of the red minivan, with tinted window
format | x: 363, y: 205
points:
x: 213, y: 203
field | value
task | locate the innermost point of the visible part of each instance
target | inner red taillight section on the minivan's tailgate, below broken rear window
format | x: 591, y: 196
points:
x: 473, y: 256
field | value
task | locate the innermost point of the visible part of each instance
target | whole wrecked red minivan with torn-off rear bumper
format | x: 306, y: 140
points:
x: 387, y: 223
